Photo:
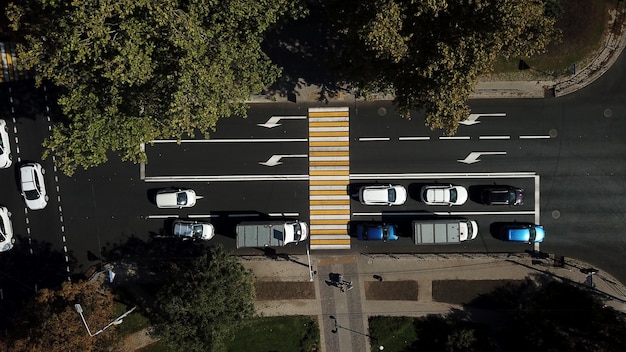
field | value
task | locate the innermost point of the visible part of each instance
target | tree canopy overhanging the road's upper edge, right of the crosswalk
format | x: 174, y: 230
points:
x: 430, y: 53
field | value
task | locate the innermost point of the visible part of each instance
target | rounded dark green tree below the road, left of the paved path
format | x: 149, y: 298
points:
x: 207, y: 301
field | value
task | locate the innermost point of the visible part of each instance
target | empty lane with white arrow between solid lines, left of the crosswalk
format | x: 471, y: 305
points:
x: 227, y: 158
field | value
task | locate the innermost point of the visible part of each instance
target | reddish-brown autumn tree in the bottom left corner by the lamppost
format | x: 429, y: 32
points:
x: 50, y: 323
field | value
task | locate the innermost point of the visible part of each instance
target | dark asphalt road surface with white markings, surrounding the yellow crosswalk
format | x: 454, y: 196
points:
x: 567, y: 153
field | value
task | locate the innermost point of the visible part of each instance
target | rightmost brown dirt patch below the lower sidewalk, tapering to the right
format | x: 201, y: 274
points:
x: 464, y: 291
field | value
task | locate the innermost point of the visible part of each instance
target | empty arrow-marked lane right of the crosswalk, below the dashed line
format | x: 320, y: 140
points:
x: 383, y: 157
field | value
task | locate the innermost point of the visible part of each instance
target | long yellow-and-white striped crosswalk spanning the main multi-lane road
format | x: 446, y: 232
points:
x: 329, y: 177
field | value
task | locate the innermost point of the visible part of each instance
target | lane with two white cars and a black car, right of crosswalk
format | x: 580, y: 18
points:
x: 475, y: 185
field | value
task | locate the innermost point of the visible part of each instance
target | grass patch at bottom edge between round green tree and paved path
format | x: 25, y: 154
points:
x: 287, y: 333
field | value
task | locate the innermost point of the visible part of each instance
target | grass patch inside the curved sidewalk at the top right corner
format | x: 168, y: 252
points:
x: 583, y: 24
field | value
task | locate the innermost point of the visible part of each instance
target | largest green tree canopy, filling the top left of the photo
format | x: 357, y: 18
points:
x: 131, y: 71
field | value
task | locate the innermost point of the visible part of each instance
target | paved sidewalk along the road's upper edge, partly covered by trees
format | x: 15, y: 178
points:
x: 486, y: 88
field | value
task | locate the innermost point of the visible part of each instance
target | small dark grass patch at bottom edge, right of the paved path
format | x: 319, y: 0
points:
x: 395, y: 333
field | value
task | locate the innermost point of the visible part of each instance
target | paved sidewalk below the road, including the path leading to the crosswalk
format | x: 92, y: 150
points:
x: 343, y: 316
